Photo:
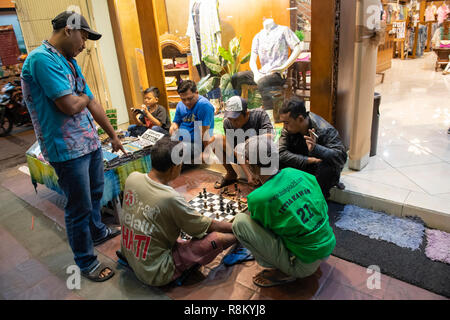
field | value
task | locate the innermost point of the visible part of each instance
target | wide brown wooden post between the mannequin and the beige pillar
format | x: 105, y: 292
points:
x: 322, y: 57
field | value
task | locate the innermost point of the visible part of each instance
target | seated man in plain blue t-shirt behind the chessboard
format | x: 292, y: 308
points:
x: 193, y: 122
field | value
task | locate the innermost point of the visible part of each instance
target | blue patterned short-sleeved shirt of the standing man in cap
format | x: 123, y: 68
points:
x: 47, y: 76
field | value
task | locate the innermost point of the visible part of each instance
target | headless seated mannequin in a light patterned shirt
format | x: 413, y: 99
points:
x: 271, y: 45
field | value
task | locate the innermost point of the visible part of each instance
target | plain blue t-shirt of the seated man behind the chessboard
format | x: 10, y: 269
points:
x: 202, y: 112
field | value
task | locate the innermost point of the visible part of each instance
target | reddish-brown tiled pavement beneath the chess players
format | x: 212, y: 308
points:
x: 28, y: 271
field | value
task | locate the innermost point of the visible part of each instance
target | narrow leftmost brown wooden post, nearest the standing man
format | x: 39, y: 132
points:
x: 126, y: 82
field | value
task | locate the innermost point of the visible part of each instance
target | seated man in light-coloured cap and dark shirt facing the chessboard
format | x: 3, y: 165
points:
x: 239, y: 124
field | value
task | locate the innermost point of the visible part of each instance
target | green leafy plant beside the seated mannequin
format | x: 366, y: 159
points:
x: 222, y: 69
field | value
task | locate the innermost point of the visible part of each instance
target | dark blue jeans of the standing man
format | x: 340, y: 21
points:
x: 82, y: 182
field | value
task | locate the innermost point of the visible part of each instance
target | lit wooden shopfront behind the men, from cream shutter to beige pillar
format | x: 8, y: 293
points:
x: 154, y: 43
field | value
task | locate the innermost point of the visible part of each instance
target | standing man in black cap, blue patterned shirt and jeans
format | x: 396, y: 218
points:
x: 63, y: 111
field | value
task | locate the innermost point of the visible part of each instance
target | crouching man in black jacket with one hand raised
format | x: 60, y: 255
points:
x: 311, y: 144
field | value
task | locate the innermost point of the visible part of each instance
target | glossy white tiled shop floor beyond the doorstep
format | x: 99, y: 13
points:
x: 412, y: 167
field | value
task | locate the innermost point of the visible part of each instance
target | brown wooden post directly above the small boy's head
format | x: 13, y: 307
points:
x: 152, y: 50
